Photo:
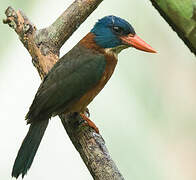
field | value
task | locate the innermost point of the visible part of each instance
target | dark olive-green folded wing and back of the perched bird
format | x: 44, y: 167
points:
x: 70, y: 78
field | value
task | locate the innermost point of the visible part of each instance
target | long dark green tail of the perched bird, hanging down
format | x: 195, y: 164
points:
x: 29, y: 148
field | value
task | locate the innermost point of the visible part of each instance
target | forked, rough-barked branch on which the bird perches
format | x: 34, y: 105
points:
x: 44, y: 45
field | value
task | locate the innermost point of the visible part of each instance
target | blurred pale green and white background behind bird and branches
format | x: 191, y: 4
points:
x: 146, y: 113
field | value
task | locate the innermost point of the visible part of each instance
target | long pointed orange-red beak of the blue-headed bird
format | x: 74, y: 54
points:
x: 136, y: 42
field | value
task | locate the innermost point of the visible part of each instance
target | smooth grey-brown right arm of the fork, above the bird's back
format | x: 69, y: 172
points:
x: 69, y: 21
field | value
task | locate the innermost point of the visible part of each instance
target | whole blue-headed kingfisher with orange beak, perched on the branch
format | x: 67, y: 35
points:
x: 75, y: 80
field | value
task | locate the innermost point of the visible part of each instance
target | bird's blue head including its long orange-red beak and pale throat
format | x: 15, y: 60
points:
x: 117, y: 34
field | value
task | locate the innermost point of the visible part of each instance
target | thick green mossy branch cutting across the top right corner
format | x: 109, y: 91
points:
x: 181, y: 16
